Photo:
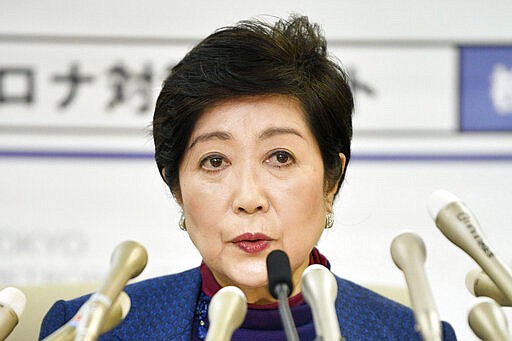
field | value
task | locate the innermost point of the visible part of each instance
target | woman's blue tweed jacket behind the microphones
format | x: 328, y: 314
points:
x: 163, y: 308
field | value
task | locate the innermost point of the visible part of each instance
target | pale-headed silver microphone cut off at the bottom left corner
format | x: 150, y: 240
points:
x: 12, y: 305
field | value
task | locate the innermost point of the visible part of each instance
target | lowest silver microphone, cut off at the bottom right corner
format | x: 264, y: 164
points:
x: 488, y: 321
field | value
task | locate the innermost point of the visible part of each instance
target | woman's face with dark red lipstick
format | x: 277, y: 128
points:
x: 251, y: 181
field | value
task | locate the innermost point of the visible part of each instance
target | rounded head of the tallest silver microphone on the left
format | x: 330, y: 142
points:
x: 130, y: 255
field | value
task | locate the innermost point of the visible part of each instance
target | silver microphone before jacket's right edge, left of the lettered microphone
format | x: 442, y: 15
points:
x: 409, y: 253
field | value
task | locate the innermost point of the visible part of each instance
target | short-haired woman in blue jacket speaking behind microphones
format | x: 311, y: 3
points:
x: 252, y: 135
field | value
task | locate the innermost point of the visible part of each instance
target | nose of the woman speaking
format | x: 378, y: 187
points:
x: 249, y: 195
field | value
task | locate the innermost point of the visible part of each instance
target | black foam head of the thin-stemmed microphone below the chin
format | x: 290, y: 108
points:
x: 279, y: 272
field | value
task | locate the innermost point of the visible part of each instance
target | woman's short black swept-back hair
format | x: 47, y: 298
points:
x: 254, y: 58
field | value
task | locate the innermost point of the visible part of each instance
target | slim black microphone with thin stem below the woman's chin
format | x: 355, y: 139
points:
x: 280, y: 286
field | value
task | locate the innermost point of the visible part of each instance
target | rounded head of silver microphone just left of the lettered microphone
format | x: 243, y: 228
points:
x: 407, y: 247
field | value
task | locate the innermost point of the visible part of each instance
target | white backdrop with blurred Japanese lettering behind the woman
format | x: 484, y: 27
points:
x: 75, y: 183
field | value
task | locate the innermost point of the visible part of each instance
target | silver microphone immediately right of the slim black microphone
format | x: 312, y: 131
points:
x: 319, y: 289
